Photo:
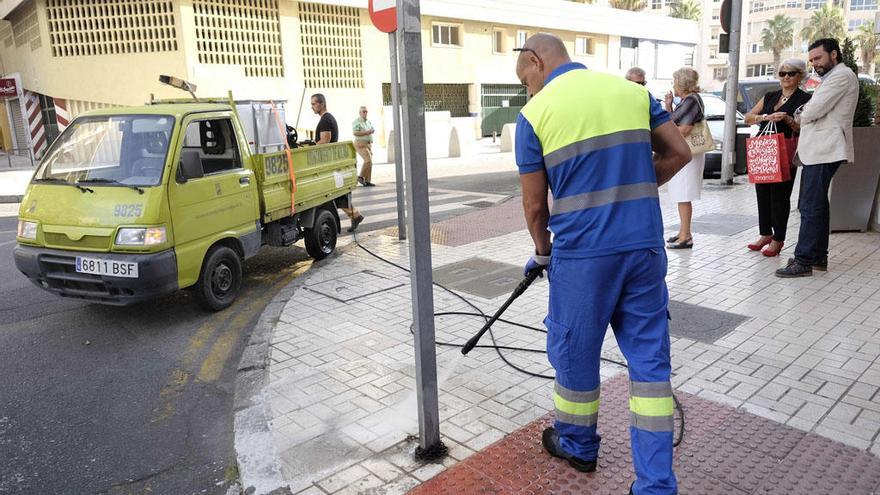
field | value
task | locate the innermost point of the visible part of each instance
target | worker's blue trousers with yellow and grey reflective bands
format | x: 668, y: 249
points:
x: 627, y: 291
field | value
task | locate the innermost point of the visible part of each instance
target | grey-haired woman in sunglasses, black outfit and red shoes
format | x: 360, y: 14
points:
x: 774, y: 200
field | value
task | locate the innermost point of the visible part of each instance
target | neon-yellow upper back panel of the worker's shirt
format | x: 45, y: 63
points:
x: 557, y: 112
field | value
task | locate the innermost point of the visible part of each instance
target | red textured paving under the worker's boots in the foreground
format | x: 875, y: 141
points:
x: 725, y: 452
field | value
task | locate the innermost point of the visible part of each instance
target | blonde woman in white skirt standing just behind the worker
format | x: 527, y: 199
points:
x: 687, y: 184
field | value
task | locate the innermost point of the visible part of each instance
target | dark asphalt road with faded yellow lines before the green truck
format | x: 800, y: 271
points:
x: 99, y: 399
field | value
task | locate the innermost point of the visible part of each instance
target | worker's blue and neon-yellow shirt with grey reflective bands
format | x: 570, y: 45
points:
x: 594, y: 131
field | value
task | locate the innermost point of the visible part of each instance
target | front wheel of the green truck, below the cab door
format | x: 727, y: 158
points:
x: 220, y: 279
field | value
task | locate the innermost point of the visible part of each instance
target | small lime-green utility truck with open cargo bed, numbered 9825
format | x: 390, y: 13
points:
x: 132, y: 203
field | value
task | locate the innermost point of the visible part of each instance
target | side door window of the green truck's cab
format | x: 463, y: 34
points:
x: 214, y: 143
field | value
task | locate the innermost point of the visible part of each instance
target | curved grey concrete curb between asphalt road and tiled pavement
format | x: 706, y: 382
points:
x: 258, y: 467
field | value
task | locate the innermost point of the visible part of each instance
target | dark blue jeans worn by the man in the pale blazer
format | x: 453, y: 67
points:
x: 812, y: 244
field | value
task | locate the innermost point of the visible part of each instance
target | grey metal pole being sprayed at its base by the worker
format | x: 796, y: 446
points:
x: 413, y: 99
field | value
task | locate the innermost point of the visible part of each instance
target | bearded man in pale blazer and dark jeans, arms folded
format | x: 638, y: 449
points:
x: 825, y: 143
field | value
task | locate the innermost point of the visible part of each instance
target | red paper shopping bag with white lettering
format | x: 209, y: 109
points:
x: 767, y: 157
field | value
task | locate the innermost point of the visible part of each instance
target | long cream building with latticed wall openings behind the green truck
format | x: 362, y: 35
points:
x: 71, y: 56
